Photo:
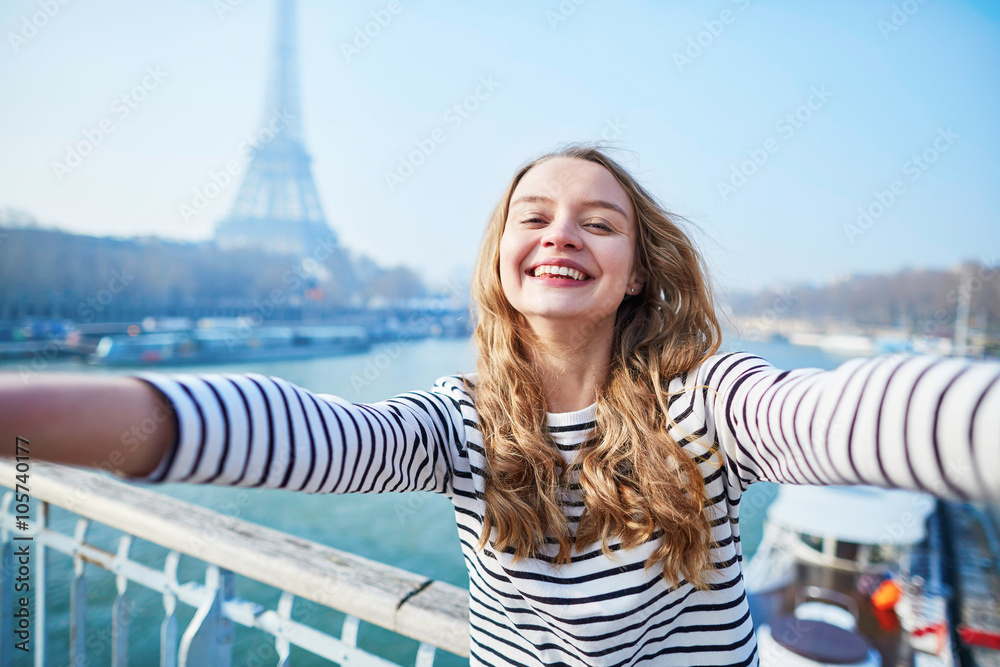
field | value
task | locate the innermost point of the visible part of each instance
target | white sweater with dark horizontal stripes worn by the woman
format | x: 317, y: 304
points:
x: 911, y: 422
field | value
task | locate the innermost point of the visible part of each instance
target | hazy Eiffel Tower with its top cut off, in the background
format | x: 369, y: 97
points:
x: 277, y: 208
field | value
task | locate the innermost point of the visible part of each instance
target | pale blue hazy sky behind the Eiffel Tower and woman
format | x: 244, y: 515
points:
x: 834, y: 100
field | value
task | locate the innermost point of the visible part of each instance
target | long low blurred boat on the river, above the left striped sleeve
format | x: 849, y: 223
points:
x: 221, y: 345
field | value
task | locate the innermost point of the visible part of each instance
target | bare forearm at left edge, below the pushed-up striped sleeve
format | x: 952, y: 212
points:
x: 118, y: 423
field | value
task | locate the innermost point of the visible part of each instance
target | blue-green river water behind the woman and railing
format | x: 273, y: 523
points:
x: 412, y: 531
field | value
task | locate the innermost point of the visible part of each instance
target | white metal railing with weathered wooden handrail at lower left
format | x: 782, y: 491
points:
x: 434, y: 613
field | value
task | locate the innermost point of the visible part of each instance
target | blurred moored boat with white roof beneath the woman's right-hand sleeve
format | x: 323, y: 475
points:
x: 863, y: 576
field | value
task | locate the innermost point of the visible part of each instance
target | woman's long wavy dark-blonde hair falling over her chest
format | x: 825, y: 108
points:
x: 636, y: 479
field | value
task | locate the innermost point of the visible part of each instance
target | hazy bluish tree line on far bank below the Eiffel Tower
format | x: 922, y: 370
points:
x: 46, y: 272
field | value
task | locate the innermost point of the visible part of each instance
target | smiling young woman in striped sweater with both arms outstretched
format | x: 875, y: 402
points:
x: 596, y: 460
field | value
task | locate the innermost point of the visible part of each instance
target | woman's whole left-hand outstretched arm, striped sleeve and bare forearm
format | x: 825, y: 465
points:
x: 237, y: 430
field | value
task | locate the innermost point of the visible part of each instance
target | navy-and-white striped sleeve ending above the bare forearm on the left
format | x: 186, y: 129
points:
x: 256, y: 431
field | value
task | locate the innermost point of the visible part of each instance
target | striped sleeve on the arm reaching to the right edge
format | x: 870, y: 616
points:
x: 914, y: 422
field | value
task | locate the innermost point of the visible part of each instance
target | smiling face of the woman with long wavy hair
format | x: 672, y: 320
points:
x: 567, y: 253
